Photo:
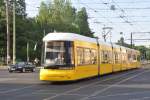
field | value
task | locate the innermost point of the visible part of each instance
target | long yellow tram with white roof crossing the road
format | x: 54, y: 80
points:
x: 69, y: 56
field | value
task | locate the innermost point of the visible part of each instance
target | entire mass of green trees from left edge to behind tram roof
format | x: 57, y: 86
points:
x: 58, y: 15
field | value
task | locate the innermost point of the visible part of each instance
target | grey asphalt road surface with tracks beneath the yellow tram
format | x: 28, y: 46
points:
x: 127, y: 85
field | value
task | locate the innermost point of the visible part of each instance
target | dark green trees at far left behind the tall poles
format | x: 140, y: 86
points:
x: 27, y: 30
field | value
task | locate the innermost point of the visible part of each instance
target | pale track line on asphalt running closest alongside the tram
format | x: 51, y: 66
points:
x: 81, y: 87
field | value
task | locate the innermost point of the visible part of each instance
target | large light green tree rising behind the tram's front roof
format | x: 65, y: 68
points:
x: 57, y: 16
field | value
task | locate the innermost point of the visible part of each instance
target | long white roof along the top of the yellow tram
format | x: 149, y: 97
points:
x: 61, y: 36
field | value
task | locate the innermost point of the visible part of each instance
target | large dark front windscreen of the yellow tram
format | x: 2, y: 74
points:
x: 59, y: 55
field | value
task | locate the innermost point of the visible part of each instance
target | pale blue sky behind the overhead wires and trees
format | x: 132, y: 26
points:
x: 127, y: 16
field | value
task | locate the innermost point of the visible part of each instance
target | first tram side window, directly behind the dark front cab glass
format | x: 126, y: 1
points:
x: 80, y: 58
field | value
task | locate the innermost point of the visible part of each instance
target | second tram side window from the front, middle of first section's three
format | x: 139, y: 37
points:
x: 87, y: 56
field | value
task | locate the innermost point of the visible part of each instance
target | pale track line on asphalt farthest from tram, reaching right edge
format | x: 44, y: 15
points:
x: 105, y: 89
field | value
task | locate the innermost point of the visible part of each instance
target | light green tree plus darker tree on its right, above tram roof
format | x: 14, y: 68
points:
x: 62, y: 17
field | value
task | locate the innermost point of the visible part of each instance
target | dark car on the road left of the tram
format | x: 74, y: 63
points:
x: 22, y: 67
